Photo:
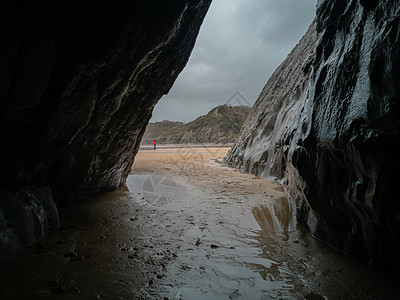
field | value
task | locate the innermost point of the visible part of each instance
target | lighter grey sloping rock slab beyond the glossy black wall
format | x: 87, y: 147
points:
x: 264, y: 138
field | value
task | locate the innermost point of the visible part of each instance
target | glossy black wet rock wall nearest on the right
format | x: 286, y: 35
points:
x: 349, y: 160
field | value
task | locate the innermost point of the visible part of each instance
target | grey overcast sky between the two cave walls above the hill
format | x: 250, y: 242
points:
x: 240, y: 44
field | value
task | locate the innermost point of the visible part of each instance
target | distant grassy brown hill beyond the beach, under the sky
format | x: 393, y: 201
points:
x: 220, y: 125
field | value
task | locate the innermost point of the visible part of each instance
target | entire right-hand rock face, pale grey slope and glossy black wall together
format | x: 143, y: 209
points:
x: 332, y: 141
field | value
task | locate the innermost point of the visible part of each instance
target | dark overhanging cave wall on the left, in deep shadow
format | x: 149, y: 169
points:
x: 78, y: 83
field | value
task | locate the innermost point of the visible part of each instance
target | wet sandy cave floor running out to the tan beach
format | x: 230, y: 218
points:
x: 190, y: 228
